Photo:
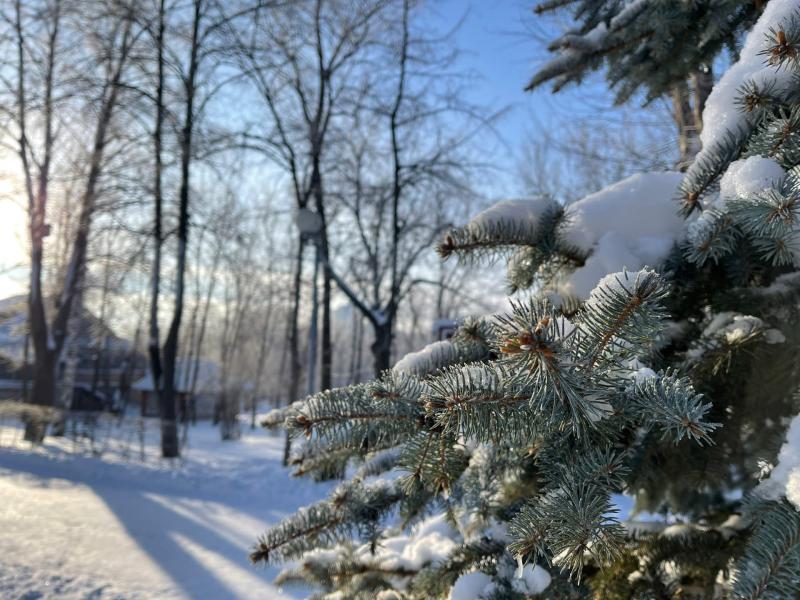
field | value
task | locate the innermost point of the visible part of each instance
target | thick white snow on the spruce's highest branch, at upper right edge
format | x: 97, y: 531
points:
x: 721, y: 113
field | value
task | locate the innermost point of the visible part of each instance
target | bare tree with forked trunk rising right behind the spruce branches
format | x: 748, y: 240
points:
x: 419, y: 126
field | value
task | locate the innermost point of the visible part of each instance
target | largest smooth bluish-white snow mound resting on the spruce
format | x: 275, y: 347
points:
x: 629, y: 224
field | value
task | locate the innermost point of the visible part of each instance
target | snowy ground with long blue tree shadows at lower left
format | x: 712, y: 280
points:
x: 76, y: 526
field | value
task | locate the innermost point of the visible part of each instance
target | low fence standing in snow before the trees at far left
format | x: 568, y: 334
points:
x: 82, y: 432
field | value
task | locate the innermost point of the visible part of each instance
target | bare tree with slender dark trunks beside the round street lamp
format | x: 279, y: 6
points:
x: 304, y: 59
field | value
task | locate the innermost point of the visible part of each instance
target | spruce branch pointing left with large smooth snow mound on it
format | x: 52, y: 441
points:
x: 569, y: 253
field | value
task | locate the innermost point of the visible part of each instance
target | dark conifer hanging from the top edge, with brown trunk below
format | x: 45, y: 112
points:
x: 649, y: 49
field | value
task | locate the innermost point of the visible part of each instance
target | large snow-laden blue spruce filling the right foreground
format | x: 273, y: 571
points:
x: 649, y: 353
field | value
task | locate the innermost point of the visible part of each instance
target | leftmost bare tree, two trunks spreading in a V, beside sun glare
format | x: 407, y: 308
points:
x: 109, y: 44
